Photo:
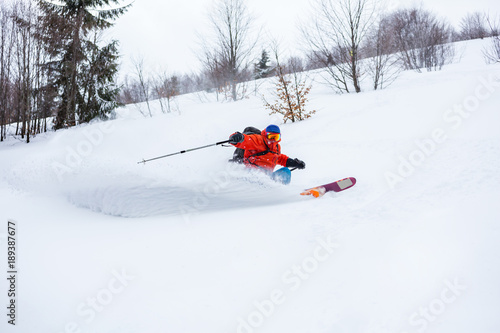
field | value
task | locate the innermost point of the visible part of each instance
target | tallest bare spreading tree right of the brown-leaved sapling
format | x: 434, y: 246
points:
x: 335, y: 37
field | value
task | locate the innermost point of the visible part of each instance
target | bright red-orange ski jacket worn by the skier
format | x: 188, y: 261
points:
x: 259, y: 152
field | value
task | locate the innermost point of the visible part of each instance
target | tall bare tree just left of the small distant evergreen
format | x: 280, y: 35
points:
x: 229, y: 52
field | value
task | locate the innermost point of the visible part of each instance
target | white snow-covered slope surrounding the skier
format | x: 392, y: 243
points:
x: 192, y: 244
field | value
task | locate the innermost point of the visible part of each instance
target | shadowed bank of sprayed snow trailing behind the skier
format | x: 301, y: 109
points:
x: 141, y: 201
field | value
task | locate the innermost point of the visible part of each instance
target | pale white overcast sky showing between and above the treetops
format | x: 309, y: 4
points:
x: 164, y: 32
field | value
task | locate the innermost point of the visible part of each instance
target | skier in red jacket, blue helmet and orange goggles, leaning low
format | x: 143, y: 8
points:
x: 262, y: 150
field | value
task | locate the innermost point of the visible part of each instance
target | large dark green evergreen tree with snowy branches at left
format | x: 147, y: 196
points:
x: 84, y: 70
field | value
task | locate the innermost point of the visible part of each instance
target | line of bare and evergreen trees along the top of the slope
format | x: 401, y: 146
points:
x: 56, y: 69
